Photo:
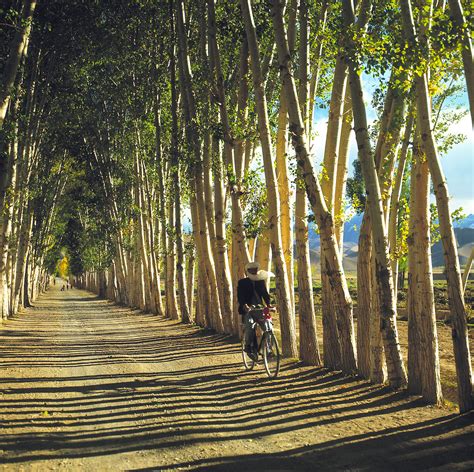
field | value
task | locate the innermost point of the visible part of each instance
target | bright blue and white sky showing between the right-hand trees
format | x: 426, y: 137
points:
x: 457, y: 164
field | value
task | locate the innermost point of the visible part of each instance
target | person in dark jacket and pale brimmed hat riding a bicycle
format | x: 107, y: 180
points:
x: 252, y: 295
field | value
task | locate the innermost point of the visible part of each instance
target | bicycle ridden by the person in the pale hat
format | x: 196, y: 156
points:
x: 267, y: 348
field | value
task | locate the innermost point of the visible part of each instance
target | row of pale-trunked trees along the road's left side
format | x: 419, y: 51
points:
x: 29, y: 184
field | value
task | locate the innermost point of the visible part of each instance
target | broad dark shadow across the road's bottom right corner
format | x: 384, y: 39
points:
x: 402, y: 449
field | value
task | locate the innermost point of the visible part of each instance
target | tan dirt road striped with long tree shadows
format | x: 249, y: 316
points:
x: 87, y: 385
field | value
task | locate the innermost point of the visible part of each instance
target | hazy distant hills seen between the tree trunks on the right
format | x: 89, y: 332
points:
x: 464, y: 231
